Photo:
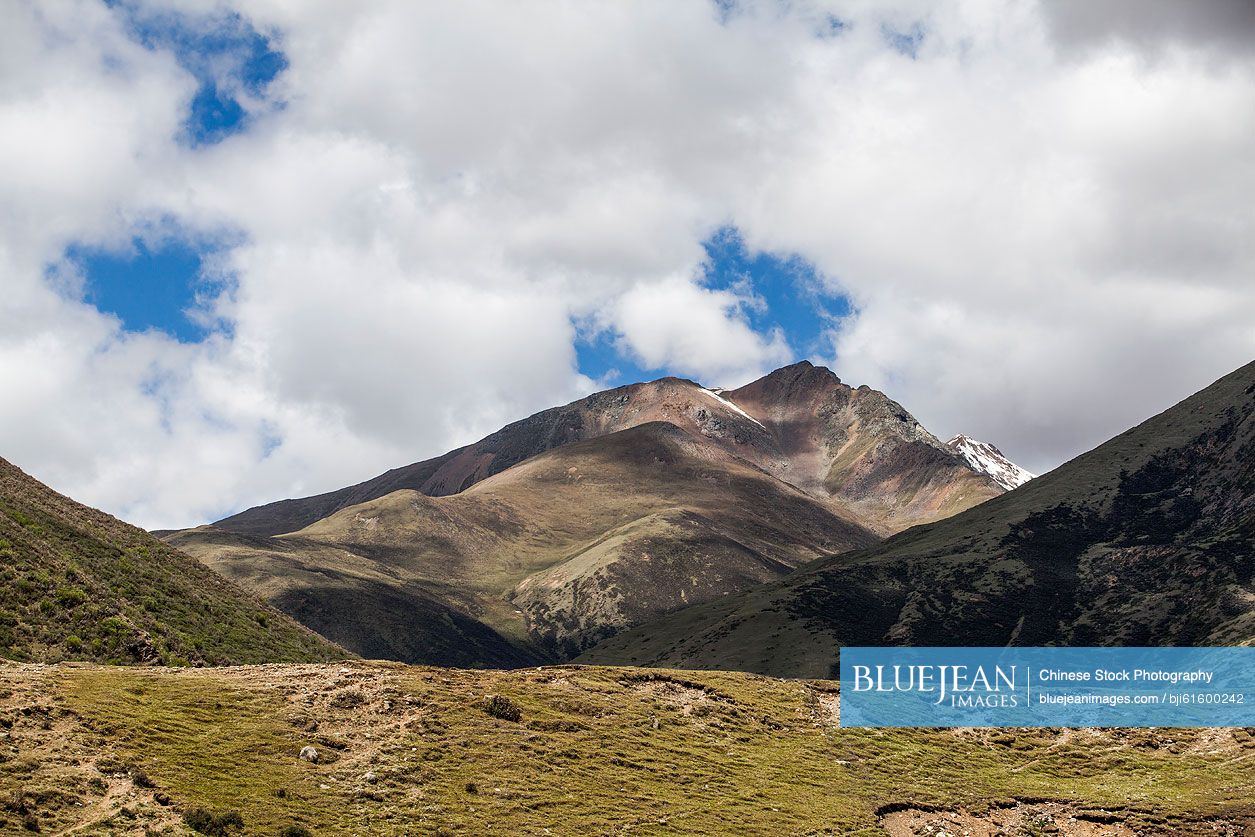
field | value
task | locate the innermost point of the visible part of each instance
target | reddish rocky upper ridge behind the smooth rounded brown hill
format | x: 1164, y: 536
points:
x: 855, y: 450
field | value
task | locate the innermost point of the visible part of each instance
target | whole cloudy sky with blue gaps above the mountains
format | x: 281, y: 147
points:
x: 260, y: 250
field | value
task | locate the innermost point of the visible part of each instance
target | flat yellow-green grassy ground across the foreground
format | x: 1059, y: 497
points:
x: 598, y: 752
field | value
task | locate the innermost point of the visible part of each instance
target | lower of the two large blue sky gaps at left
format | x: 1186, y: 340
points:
x: 149, y: 287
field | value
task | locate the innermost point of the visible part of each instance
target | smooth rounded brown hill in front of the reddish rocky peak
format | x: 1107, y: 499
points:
x: 553, y: 554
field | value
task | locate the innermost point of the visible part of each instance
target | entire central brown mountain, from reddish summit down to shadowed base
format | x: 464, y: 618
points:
x: 565, y: 528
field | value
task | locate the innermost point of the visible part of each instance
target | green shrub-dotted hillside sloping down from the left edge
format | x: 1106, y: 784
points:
x: 82, y: 585
